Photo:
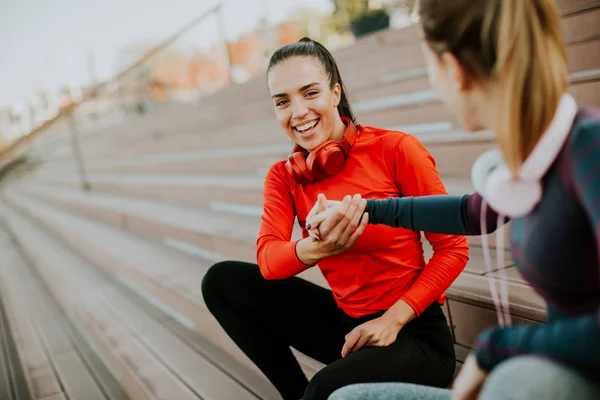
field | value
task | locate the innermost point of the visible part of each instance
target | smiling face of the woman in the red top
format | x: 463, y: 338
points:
x: 305, y: 105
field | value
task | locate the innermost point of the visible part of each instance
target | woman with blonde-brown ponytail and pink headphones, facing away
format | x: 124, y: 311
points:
x: 501, y: 65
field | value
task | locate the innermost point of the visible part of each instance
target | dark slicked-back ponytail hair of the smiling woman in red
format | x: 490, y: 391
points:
x: 307, y: 47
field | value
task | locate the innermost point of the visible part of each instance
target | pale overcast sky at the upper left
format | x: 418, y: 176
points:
x: 47, y: 44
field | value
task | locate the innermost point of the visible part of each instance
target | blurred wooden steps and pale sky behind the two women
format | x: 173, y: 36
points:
x: 134, y: 140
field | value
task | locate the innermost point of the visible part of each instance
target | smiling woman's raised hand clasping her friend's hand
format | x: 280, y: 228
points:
x: 344, y: 226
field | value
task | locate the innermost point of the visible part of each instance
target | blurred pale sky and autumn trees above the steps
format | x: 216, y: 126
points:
x: 190, y: 49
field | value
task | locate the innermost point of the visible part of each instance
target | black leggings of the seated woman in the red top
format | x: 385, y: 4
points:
x: 266, y: 317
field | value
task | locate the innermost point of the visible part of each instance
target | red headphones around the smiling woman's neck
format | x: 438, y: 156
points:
x: 325, y: 160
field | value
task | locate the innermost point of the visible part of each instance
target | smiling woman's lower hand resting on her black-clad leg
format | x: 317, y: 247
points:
x: 380, y: 331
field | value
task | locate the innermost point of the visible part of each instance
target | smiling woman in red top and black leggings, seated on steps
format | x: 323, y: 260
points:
x: 381, y: 320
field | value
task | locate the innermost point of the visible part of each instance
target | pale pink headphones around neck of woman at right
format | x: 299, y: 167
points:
x: 516, y: 198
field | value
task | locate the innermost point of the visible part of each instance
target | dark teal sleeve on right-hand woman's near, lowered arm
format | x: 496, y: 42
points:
x: 572, y: 341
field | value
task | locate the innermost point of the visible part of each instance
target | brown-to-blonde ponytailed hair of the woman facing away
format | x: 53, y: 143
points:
x: 515, y: 43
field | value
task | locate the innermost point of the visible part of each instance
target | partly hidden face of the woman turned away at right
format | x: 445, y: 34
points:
x: 457, y: 90
